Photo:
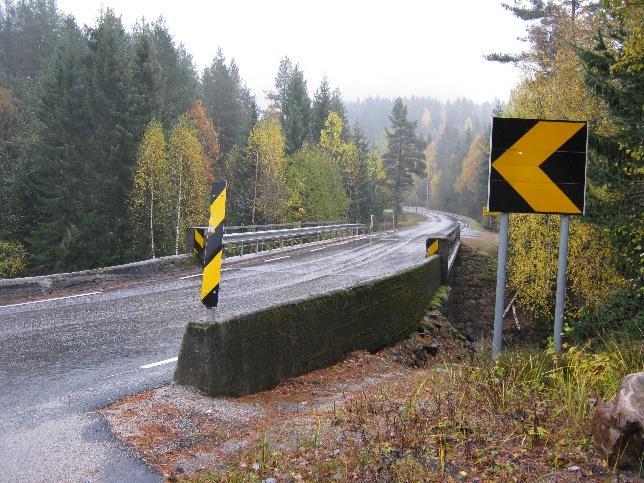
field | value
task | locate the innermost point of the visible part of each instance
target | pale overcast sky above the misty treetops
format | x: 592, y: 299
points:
x: 365, y: 47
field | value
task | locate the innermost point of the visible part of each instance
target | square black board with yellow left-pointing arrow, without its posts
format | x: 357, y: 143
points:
x: 537, y: 166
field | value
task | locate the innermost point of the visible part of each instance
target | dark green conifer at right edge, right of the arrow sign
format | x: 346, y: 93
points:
x: 613, y: 69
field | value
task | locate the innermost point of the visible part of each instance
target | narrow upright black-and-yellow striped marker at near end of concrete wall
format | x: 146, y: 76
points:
x: 214, y: 246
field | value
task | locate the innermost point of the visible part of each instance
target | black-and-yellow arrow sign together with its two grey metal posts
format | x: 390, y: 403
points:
x: 536, y: 166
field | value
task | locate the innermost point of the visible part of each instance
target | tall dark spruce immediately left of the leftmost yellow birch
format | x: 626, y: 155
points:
x: 112, y: 141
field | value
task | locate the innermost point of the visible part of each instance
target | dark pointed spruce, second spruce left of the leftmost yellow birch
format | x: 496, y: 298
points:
x: 61, y: 236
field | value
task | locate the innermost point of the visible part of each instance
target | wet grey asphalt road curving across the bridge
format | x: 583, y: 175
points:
x: 60, y: 360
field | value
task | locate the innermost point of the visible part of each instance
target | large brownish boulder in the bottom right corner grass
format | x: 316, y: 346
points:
x: 618, y: 426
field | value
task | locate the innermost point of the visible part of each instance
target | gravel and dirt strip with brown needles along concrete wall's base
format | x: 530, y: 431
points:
x: 182, y: 432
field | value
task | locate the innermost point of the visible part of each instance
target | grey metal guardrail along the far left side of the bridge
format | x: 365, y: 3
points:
x: 262, y: 240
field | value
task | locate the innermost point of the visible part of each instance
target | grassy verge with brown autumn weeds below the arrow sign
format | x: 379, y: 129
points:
x: 524, y: 418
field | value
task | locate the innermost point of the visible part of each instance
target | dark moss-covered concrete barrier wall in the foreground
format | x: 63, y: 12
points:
x: 257, y: 351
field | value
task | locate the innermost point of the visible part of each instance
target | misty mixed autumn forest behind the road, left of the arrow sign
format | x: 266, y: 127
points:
x: 110, y: 139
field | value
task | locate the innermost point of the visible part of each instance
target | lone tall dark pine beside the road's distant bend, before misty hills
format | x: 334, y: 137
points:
x: 405, y: 154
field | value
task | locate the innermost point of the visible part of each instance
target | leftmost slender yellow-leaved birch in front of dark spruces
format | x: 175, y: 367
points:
x: 150, y: 206
